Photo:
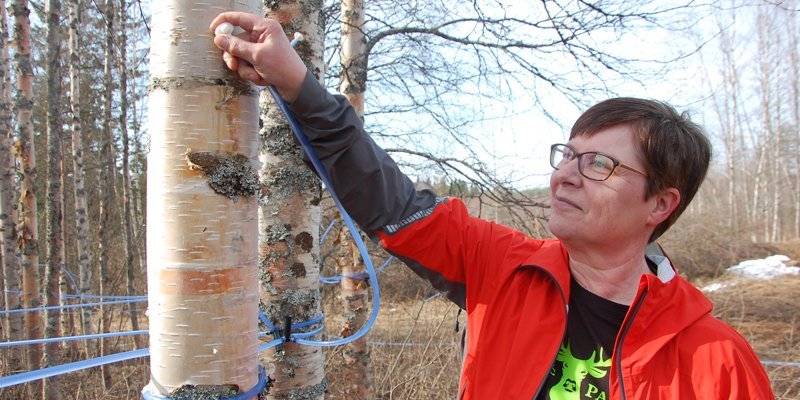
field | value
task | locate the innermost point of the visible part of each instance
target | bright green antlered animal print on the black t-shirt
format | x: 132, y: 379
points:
x: 574, y: 370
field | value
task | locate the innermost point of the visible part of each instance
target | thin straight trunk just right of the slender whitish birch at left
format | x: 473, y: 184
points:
x: 107, y: 187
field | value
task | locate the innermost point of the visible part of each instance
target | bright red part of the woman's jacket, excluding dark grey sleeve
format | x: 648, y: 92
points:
x: 517, y: 289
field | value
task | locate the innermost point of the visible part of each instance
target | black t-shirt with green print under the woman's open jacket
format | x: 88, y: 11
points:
x: 583, y: 364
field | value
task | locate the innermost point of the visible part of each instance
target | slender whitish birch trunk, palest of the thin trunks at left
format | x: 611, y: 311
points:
x: 81, y: 217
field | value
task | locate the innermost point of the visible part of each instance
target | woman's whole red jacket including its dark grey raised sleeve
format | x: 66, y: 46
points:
x: 516, y: 289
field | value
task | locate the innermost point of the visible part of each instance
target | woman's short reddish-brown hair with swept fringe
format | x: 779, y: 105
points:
x: 675, y: 151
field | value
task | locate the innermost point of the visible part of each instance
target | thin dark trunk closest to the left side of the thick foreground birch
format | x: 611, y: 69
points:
x: 127, y: 221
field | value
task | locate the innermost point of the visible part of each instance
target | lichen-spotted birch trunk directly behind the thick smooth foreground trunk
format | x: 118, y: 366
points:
x: 289, y: 218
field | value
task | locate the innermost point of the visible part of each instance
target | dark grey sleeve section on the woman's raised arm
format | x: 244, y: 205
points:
x: 368, y: 182
